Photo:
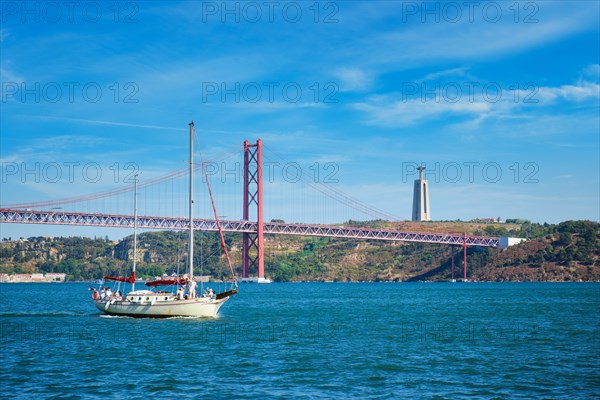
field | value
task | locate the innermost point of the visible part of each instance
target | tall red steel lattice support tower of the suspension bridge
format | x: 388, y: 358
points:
x: 253, y: 243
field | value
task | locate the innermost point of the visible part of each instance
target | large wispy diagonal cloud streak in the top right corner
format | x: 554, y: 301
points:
x: 409, y: 45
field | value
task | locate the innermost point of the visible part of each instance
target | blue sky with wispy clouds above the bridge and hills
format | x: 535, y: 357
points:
x: 499, y: 100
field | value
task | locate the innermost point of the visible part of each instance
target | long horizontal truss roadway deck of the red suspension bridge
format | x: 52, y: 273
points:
x: 56, y: 217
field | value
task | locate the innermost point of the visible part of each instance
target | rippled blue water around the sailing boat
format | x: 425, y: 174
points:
x: 311, y: 340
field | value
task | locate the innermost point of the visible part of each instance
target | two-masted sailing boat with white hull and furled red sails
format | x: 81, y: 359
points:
x: 147, y: 303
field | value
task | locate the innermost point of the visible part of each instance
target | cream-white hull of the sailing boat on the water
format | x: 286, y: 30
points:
x: 200, y: 307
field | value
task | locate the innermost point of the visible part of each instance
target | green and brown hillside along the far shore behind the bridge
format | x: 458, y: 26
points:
x: 569, y: 251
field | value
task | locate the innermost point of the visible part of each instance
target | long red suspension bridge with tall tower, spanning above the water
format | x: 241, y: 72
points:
x: 251, y: 225
